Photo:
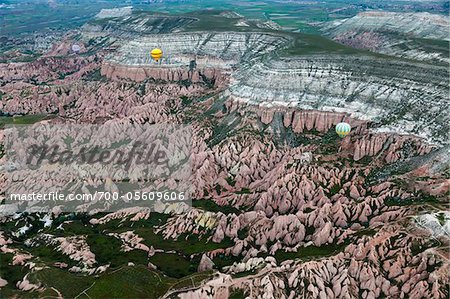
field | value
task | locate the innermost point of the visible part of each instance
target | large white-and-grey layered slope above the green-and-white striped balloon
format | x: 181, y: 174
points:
x: 406, y: 97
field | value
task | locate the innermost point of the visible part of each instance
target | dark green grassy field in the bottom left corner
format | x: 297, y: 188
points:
x: 117, y: 283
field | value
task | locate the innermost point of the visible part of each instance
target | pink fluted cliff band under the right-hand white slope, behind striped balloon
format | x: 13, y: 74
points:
x: 364, y: 143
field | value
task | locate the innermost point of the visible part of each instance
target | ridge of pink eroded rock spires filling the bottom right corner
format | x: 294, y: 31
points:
x: 380, y: 267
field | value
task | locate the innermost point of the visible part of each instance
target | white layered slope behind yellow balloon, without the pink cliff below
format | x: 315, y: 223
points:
x: 207, y: 49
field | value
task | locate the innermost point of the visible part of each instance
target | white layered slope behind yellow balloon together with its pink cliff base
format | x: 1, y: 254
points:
x: 197, y: 56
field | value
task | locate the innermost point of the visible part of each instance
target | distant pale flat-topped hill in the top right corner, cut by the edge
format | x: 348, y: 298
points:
x: 420, y: 36
